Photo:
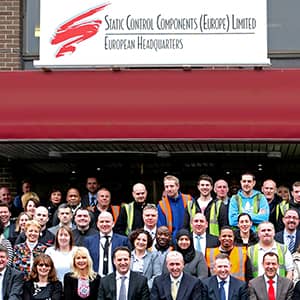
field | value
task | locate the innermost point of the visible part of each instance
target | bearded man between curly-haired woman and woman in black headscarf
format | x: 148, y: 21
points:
x: 162, y: 244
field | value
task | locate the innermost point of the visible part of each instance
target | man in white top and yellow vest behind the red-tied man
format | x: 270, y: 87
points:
x: 266, y: 233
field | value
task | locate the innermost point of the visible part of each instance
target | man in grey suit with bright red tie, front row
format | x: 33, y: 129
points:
x: 264, y: 286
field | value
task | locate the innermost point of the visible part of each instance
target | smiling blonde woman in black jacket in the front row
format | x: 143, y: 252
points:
x: 82, y: 282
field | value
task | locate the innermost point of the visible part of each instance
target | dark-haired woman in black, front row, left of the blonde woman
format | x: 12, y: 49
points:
x: 42, y: 282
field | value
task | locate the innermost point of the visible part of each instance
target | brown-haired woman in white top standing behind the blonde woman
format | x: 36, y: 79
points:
x: 62, y: 251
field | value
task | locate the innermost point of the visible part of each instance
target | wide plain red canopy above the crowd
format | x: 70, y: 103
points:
x: 151, y: 105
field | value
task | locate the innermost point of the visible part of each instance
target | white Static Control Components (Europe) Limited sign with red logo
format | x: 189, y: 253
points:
x: 95, y: 33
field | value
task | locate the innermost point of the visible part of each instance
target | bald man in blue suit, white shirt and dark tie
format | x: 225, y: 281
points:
x: 102, y: 245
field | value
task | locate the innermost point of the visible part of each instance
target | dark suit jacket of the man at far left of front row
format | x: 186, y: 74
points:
x: 12, y: 284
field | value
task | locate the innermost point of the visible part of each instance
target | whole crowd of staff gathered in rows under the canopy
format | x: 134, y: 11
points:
x: 243, y: 246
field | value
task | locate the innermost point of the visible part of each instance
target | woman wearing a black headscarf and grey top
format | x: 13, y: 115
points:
x: 194, y: 261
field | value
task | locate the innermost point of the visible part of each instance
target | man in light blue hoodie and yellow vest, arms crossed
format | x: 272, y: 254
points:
x: 250, y: 201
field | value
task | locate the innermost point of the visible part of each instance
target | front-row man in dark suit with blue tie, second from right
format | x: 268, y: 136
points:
x: 235, y: 290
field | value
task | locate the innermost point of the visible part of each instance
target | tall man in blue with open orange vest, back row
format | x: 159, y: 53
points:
x: 171, y: 207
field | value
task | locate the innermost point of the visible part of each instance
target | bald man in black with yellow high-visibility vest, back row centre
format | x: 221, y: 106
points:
x: 131, y: 214
